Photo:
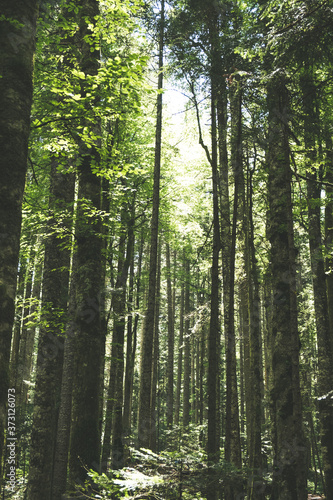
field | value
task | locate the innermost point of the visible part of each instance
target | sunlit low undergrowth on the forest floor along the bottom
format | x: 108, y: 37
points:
x: 151, y: 476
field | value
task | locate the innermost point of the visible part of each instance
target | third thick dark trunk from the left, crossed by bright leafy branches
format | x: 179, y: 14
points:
x: 86, y: 428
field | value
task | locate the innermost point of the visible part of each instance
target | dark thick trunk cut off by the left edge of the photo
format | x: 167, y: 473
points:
x: 17, y: 42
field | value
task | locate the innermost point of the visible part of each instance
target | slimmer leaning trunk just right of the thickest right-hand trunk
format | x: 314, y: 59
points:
x: 325, y: 359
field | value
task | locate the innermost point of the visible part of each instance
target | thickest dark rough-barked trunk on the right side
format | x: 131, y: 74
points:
x: 289, y: 480
